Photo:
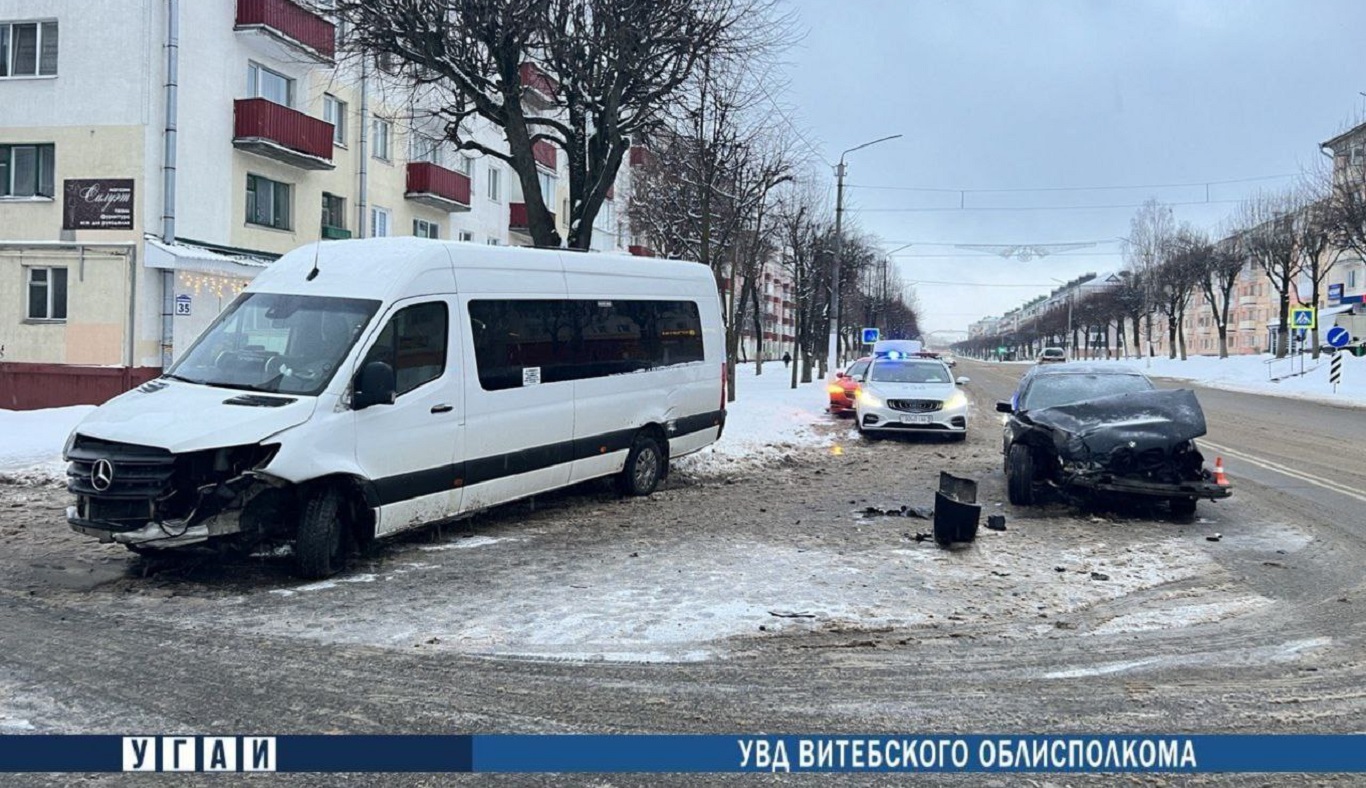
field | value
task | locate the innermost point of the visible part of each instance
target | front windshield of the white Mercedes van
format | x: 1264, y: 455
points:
x: 277, y: 343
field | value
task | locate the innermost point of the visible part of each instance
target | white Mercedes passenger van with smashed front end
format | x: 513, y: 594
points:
x: 360, y: 389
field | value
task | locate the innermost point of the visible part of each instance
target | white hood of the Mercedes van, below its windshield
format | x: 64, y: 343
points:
x: 184, y: 417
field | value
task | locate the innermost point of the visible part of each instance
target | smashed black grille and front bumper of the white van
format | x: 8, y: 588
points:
x: 148, y: 498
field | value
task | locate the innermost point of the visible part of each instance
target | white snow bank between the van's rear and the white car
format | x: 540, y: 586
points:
x: 768, y: 421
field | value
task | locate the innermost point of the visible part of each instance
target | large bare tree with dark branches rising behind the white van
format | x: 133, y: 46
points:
x: 600, y: 72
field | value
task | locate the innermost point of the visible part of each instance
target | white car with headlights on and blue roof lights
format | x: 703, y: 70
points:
x: 900, y: 395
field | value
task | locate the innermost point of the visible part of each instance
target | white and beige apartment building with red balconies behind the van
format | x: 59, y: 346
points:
x: 155, y: 155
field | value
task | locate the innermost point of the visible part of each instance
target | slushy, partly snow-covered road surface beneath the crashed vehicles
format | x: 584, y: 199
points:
x: 764, y: 603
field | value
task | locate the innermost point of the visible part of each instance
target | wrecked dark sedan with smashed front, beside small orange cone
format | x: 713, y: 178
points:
x: 1095, y: 430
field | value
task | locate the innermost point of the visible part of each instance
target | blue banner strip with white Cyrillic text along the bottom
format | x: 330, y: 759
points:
x: 936, y: 753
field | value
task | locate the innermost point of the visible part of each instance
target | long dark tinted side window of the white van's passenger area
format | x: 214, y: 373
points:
x: 577, y: 339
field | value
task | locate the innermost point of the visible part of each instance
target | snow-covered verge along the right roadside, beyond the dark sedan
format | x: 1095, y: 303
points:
x: 1263, y: 375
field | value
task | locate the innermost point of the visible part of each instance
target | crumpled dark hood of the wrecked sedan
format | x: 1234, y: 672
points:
x: 1152, y: 420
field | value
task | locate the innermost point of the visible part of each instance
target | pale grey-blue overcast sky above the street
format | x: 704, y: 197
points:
x: 1044, y: 94
